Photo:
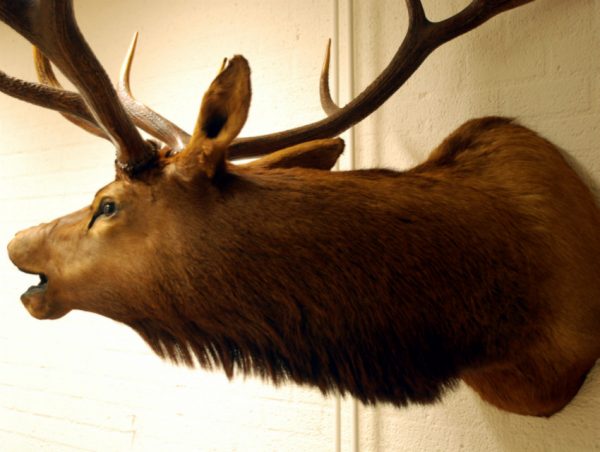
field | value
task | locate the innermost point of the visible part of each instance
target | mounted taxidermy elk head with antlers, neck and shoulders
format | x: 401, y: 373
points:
x: 479, y: 264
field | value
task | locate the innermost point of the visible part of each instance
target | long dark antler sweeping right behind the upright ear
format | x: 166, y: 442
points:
x: 421, y: 39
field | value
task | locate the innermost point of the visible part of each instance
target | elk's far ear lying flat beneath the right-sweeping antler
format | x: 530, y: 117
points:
x: 316, y: 154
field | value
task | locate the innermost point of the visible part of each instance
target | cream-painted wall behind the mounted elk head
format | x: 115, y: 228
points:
x: 86, y: 383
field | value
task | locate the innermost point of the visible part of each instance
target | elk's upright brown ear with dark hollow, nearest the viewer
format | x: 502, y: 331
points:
x: 222, y: 115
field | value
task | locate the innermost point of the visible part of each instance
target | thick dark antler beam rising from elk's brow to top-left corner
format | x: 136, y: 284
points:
x: 51, y: 26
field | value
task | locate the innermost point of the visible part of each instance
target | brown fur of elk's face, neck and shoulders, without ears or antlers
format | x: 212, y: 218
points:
x: 481, y: 263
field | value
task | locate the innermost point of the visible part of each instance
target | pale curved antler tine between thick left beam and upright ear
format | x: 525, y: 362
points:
x: 143, y: 116
